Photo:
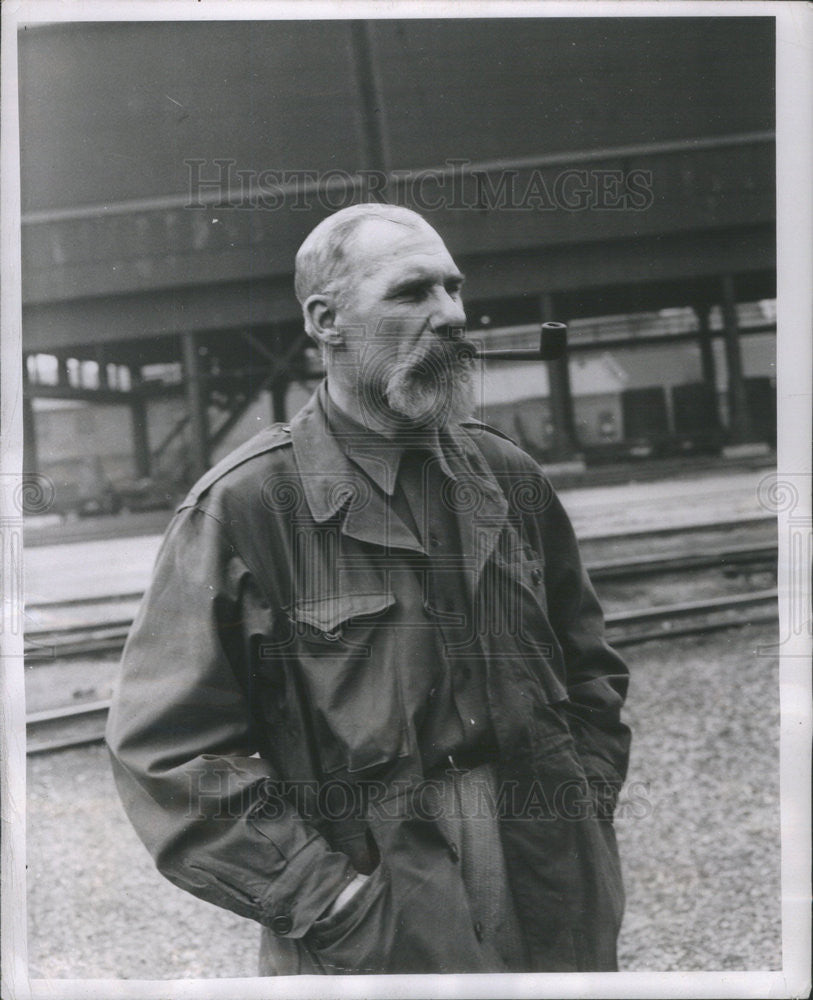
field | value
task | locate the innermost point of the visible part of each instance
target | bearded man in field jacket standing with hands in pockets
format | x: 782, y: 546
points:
x: 367, y: 701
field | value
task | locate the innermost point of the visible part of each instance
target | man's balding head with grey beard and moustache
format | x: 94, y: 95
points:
x: 381, y: 295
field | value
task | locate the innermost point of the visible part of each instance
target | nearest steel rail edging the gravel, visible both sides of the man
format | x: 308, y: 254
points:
x: 80, y: 725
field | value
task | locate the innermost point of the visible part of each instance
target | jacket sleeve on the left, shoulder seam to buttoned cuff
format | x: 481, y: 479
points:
x: 184, y: 744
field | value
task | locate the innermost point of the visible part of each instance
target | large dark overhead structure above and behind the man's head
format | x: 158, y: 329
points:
x: 146, y: 151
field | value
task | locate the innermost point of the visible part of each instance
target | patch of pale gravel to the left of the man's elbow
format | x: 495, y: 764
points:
x: 97, y: 906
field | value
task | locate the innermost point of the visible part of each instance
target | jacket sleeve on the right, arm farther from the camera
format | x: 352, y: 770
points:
x: 597, y: 677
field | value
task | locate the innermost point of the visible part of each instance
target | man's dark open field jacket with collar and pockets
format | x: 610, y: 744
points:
x: 265, y: 731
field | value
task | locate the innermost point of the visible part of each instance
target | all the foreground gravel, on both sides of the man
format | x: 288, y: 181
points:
x: 698, y: 828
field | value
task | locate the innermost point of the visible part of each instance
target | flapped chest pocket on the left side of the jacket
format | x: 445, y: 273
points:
x: 345, y: 655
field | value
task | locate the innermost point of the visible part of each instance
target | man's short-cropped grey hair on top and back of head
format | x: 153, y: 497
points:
x: 322, y: 262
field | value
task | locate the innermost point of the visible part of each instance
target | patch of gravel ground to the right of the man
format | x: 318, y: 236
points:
x: 701, y: 851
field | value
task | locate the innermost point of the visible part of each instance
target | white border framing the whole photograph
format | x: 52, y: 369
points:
x: 794, y: 50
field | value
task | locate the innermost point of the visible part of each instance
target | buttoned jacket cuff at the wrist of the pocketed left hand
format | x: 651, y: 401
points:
x: 313, y: 878
